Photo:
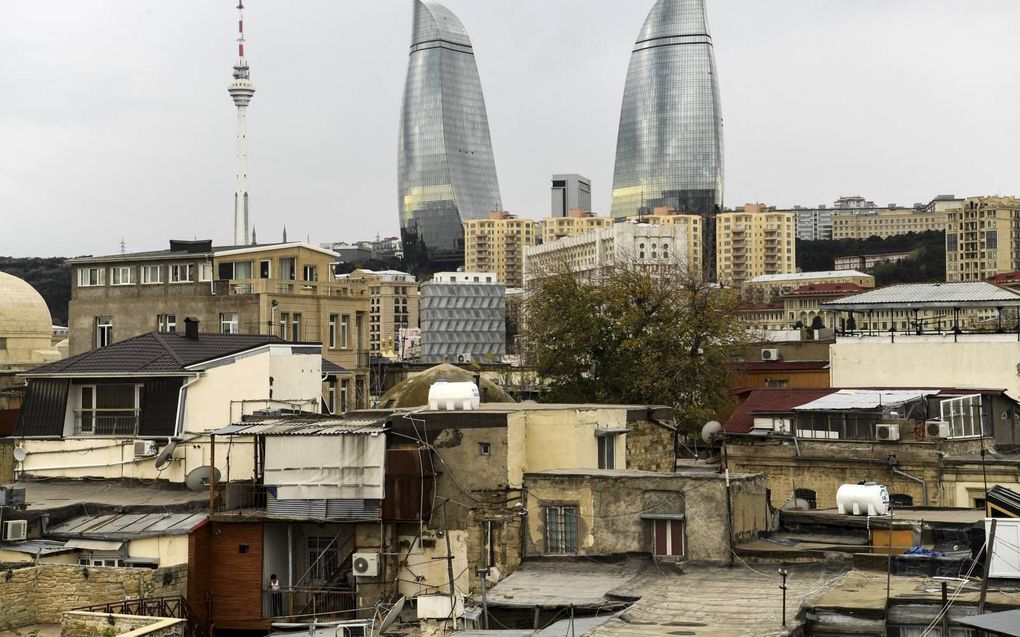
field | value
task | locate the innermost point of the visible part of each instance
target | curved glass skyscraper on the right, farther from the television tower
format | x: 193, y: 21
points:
x: 670, y: 147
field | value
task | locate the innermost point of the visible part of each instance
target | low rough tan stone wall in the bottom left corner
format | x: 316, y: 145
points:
x: 41, y: 595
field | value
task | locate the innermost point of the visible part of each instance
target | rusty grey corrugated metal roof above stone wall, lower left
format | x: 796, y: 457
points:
x: 129, y: 526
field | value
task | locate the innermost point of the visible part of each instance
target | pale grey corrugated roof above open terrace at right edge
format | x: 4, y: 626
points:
x: 929, y: 296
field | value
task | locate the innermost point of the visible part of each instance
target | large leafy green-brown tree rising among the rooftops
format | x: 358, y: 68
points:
x: 635, y: 337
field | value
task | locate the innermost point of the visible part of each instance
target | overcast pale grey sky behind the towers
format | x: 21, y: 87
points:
x: 116, y: 123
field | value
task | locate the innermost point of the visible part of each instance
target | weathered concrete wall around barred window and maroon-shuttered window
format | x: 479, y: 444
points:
x: 610, y: 506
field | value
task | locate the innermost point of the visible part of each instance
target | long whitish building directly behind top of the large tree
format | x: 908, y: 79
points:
x: 649, y: 246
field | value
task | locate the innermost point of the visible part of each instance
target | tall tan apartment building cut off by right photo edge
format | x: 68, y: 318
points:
x: 983, y: 239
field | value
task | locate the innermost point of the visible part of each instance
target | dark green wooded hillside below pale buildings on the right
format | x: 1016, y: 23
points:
x: 928, y: 263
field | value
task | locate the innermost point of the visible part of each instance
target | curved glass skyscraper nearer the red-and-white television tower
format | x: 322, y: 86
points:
x: 447, y: 170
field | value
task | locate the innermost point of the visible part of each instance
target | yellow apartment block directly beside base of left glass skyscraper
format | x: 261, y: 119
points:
x: 497, y: 245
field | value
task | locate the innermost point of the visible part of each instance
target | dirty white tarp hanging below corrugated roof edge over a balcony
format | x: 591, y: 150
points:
x: 330, y: 467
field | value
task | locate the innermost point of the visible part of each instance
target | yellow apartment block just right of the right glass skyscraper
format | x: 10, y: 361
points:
x: 755, y: 242
